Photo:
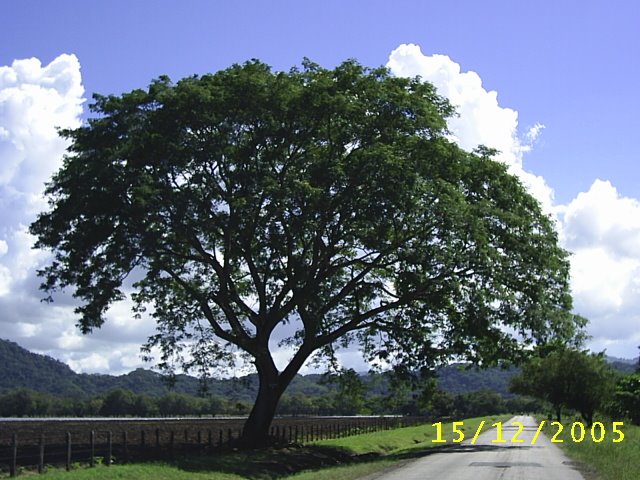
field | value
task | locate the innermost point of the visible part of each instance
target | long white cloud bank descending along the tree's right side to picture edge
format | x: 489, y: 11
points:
x: 599, y: 227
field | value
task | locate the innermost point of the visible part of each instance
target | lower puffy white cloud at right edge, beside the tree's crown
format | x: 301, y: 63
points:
x: 602, y: 229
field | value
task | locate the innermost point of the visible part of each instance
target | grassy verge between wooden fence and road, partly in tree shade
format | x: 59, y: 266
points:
x: 337, y: 459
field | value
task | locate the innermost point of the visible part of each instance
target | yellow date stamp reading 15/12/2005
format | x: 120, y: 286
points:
x: 514, y: 432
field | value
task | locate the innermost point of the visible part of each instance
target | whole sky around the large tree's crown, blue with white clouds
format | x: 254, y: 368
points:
x: 572, y: 66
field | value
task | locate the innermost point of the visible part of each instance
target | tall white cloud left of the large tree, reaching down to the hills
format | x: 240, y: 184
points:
x: 36, y: 100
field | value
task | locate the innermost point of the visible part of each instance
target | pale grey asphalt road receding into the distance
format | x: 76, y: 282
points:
x: 486, y: 460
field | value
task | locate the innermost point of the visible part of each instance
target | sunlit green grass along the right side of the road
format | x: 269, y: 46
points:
x: 607, y: 460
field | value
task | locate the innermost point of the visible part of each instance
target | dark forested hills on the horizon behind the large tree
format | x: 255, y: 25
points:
x: 23, y: 369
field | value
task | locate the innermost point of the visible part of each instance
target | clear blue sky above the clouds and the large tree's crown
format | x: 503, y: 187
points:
x: 572, y: 65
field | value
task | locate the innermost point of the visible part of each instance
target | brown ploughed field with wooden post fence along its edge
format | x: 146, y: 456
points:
x: 30, y: 446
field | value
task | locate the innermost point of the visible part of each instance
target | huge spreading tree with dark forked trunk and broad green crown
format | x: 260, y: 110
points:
x: 320, y: 207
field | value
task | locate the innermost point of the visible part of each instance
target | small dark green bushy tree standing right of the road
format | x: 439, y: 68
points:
x: 567, y: 378
